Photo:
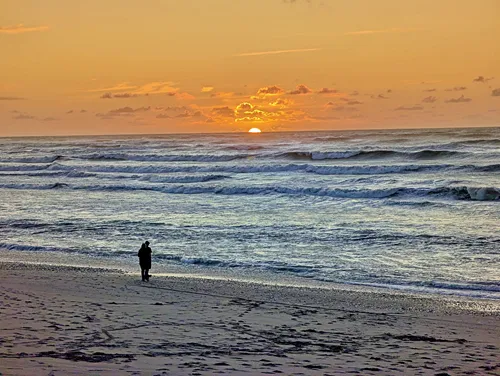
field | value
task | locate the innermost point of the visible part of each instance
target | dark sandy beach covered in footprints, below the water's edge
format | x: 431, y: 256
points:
x: 75, y: 321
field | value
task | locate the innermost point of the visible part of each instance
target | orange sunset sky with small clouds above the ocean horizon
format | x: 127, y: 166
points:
x: 171, y: 66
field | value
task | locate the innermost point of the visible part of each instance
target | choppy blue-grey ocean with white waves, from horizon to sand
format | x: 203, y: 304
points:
x: 406, y: 210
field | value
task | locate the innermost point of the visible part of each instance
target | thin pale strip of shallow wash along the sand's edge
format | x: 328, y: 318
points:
x: 129, y: 265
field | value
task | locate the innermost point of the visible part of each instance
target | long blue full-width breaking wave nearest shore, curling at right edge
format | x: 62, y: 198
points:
x: 458, y: 193
